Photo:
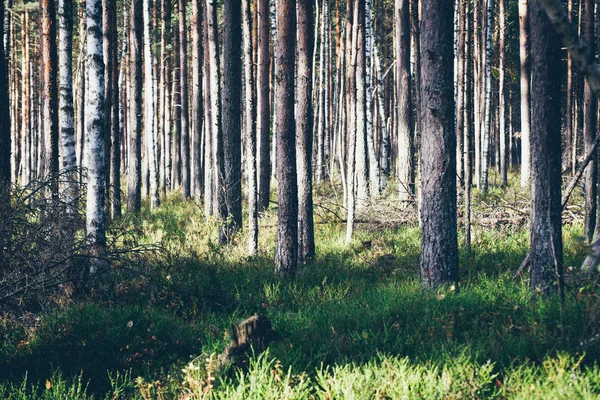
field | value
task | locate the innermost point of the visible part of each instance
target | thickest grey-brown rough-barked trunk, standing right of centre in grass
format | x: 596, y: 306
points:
x: 439, y: 247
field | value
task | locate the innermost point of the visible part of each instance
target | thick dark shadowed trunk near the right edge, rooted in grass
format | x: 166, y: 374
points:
x: 546, y: 234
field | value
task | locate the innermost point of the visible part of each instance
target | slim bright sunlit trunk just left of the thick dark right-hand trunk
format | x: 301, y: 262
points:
x: 525, y: 87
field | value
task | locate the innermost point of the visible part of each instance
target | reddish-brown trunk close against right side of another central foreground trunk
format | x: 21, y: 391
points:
x: 304, y: 136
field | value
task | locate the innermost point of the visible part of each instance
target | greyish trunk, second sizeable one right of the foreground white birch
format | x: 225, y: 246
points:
x: 134, y: 165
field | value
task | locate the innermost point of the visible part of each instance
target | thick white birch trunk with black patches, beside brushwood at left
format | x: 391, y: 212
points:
x: 95, y: 218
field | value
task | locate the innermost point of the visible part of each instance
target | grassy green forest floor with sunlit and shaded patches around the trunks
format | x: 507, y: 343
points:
x: 354, y: 324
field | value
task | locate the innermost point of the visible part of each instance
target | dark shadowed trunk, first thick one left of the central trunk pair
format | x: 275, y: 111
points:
x: 231, y: 101
